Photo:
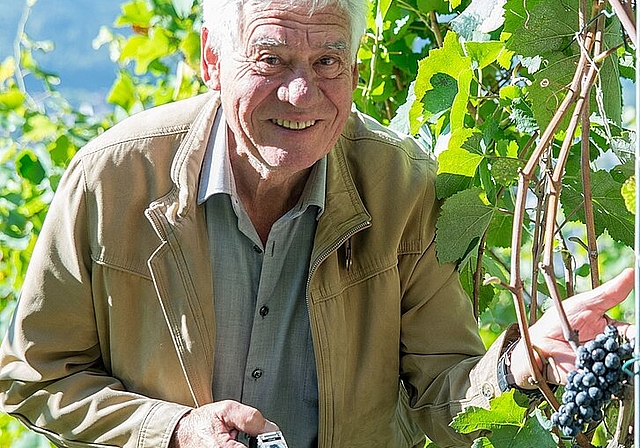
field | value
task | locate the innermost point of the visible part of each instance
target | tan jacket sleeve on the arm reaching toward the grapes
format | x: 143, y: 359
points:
x: 445, y: 367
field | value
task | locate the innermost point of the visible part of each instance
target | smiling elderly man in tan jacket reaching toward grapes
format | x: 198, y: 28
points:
x: 258, y: 254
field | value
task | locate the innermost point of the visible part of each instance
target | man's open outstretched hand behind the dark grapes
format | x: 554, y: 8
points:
x: 586, y: 313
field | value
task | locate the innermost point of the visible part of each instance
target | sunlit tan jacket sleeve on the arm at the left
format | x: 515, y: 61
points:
x: 52, y: 377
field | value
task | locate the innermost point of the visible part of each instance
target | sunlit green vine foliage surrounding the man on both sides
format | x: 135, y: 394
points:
x: 520, y: 101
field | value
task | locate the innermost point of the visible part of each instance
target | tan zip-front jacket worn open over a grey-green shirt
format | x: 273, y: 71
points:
x: 112, y: 340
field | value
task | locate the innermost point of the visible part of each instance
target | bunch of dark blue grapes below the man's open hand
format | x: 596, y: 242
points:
x: 598, y: 377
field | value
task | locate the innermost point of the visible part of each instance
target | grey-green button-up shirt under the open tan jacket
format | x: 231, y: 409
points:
x: 264, y: 351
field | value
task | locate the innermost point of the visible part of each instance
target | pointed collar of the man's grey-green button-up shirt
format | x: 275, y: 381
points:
x: 216, y: 175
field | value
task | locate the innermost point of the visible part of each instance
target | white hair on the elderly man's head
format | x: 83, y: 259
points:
x: 223, y: 19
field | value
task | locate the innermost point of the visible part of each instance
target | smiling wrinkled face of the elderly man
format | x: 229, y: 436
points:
x: 287, y: 87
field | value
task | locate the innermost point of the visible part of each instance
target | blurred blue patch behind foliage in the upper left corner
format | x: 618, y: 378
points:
x: 85, y: 74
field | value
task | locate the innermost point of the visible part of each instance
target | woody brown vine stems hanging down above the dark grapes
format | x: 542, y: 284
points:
x: 547, y: 179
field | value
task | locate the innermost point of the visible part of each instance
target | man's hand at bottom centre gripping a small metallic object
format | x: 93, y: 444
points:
x: 217, y: 425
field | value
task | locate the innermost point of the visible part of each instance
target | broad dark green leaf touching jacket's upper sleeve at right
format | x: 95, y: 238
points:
x: 462, y: 222
